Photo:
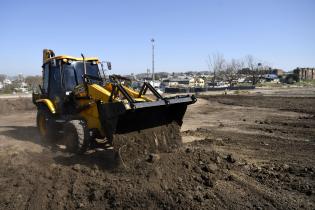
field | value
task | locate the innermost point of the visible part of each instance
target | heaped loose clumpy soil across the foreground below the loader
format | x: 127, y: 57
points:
x: 191, y: 177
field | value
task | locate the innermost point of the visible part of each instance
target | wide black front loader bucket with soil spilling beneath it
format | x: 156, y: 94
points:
x: 153, y: 125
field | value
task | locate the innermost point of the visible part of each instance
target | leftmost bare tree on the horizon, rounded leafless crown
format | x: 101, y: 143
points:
x: 216, y: 64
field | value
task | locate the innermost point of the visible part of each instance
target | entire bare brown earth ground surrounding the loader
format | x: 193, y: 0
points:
x: 254, y: 151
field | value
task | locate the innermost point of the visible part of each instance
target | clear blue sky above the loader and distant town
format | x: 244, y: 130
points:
x: 278, y: 32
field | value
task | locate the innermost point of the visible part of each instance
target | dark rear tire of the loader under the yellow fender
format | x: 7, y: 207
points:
x: 46, y: 127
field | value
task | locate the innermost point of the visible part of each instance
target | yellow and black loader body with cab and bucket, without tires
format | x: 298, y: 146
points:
x: 107, y: 107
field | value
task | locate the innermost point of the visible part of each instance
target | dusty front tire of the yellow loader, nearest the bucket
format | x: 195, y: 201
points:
x: 77, y: 136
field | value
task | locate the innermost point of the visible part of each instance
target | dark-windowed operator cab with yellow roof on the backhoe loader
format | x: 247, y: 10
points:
x: 61, y: 74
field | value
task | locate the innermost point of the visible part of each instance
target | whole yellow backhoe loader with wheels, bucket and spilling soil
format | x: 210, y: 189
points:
x: 76, y: 102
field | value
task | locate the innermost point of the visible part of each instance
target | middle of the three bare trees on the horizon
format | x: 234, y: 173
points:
x: 231, y: 71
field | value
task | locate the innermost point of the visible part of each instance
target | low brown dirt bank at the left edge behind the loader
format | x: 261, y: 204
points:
x: 12, y: 105
